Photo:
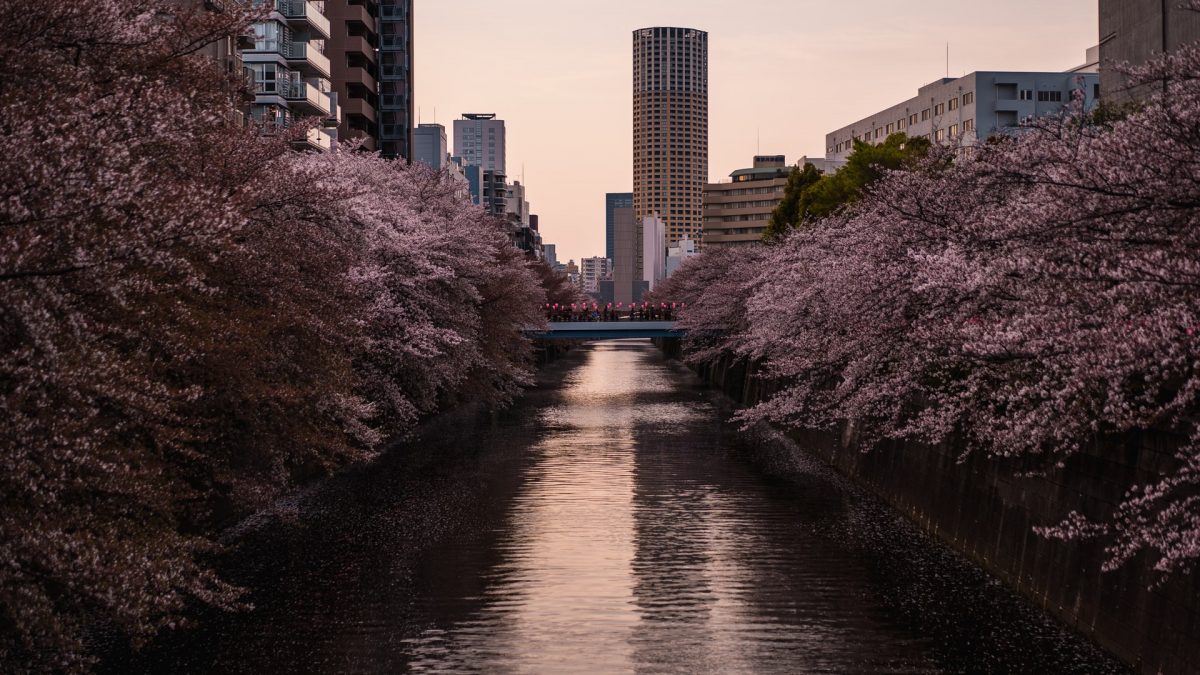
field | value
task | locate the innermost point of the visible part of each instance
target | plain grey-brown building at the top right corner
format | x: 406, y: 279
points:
x: 1137, y: 31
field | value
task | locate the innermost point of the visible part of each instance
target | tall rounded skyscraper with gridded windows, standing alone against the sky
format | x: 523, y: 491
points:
x: 671, y: 128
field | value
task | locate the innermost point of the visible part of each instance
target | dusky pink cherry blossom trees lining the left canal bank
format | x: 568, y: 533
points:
x: 197, y: 320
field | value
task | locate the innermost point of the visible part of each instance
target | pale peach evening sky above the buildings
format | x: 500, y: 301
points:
x: 783, y: 74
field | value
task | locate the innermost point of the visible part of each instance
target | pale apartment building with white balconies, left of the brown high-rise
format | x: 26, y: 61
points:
x: 292, y: 71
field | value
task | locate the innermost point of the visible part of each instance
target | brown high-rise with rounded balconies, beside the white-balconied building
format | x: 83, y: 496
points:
x: 353, y: 53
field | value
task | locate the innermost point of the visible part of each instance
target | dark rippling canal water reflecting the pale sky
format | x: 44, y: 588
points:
x: 613, y: 523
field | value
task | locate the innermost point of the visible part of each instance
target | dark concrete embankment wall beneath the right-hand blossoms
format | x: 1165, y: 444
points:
x: 981, y: 509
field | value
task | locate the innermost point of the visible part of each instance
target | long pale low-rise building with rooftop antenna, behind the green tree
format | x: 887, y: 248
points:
x: 970, y: 109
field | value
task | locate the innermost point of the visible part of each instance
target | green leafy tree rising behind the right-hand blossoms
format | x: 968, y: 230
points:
x: 811, y: 196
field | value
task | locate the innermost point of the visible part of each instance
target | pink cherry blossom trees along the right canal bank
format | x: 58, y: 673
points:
x: 1027, y: 298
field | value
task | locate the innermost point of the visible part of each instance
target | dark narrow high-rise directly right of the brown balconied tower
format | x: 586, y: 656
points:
x: 397, y: 79
